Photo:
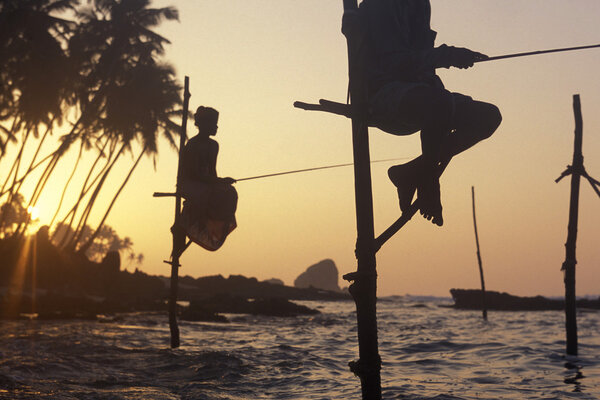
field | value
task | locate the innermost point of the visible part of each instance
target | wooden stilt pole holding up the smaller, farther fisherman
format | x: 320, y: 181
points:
x: 178, y: 233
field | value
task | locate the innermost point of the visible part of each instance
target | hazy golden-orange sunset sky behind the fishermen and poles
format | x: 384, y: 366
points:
x: 252, y: 59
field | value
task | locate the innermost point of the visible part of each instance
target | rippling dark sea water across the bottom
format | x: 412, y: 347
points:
x: 428, y: 352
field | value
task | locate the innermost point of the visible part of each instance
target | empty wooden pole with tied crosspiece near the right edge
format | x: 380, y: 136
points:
x: 570, y: 258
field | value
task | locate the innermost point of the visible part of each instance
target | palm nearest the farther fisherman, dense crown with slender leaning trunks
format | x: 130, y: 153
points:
x: 122, y: 78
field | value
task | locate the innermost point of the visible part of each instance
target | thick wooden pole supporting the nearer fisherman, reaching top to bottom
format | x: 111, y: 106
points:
x: 364, y: 288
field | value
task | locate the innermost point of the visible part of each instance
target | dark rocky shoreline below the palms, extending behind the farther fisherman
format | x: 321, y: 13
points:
x: 51, y: 284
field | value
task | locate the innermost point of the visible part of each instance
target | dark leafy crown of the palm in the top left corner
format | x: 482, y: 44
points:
x: 36, y: 65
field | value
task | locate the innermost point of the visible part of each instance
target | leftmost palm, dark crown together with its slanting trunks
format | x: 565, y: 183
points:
x: 34, y: 75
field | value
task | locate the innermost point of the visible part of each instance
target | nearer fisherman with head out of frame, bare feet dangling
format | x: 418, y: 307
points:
x: 406, y: 96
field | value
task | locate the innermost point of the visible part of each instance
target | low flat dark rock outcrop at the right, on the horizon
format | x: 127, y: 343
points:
x: 470, y: 299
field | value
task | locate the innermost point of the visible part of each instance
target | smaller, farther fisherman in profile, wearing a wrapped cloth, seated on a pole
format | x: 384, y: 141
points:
x: 209, y: 210
